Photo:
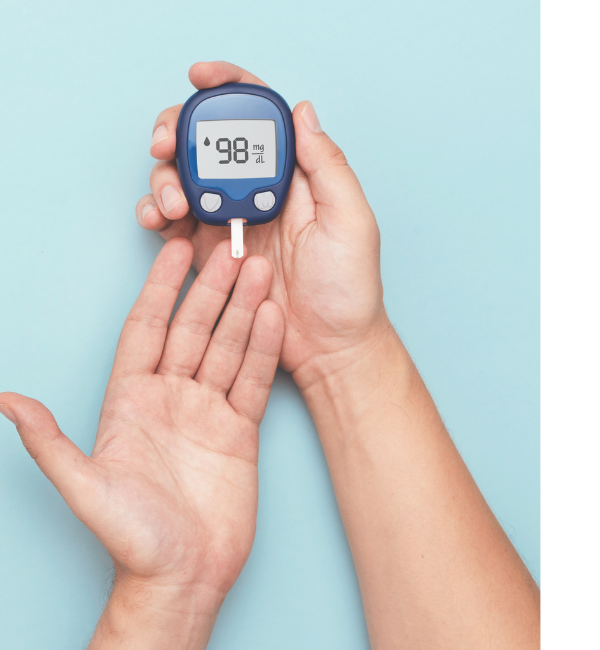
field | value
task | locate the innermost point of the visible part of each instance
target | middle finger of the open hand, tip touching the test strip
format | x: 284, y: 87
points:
x: 193, y: 324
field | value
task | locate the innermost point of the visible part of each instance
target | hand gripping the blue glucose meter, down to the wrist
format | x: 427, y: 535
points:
x: 324, y: 246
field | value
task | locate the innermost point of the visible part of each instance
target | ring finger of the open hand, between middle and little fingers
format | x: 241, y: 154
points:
x: 227, y: 347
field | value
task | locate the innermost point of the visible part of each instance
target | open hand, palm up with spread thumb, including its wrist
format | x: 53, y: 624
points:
x: 171, y: 487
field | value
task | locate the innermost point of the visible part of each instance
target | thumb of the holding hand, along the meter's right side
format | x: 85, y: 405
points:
x: 341, y: 202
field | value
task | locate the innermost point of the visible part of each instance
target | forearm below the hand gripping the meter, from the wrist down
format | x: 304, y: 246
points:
x: 435, y: 567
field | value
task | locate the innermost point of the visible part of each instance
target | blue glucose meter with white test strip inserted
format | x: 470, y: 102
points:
x: 236, y: 152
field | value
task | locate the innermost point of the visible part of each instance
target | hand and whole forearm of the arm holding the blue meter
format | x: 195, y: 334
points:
x: 435, y: 567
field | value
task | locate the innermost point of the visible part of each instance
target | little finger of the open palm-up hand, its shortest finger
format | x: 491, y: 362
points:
x: 252, y: 387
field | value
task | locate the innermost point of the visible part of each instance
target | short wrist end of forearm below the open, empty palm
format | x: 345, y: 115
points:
x: 143, y: 616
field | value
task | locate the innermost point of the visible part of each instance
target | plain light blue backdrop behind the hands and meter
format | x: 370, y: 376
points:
x: 436, y: 104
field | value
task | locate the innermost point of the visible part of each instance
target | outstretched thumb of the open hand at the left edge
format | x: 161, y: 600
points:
x: 67, y: 467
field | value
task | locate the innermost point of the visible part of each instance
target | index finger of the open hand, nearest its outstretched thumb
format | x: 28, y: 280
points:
x: 143, y: 338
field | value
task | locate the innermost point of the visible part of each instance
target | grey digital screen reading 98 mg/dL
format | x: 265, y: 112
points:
x: 236, y: 149
